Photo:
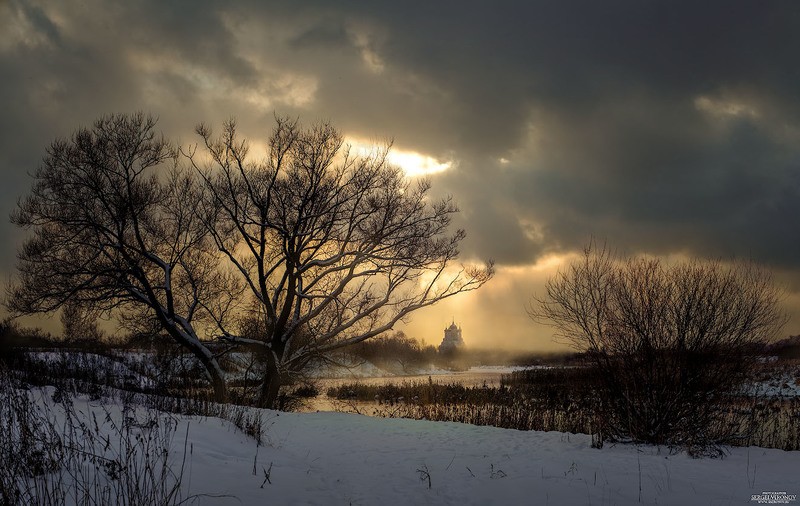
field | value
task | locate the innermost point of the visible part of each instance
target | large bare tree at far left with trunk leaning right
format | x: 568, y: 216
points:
x: 114, y: 229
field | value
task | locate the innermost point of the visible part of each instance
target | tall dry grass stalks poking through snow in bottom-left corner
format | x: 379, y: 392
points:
x: 55, y: 454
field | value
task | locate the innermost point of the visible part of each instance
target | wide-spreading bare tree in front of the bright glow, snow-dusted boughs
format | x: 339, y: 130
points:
x: 333, y: 248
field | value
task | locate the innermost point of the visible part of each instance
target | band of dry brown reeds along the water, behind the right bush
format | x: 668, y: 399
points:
x: 559, y: 399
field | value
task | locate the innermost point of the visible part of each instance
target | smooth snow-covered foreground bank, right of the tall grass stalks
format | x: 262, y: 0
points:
x: 342, y: 459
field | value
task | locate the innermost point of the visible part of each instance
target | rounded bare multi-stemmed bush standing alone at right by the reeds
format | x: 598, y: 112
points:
x: 671, y: 342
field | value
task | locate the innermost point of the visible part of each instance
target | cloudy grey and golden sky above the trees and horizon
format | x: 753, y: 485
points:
x: 659, y: 127
